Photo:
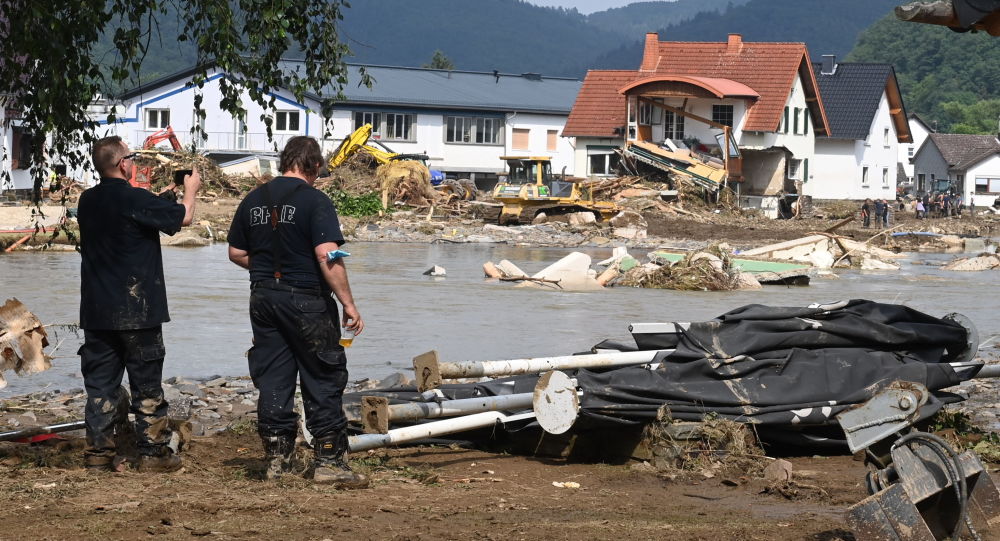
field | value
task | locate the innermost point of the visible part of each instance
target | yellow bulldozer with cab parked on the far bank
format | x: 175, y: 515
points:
x: 530, y: 188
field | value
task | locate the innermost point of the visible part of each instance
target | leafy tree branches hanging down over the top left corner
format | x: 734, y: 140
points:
x: 51, y: 67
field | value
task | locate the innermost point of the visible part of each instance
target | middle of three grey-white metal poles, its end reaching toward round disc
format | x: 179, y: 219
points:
x: 377, y: 413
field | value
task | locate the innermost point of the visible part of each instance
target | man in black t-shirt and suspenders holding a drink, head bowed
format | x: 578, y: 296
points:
x: 282, y: 232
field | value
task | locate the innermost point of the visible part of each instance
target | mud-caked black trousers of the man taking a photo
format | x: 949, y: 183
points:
x: 105, y: 357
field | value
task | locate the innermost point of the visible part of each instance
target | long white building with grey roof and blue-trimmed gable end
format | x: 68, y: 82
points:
x: 464, y: 121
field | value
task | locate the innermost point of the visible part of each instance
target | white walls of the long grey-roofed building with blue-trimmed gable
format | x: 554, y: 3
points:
x: 173, y: 104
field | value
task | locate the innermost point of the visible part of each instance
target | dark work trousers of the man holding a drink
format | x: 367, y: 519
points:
x: 296, y: 333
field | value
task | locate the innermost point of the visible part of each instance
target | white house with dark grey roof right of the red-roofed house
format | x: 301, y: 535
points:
x: 858, y: 158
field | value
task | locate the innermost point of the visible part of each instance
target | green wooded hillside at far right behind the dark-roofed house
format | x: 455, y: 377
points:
x: 951, y: 80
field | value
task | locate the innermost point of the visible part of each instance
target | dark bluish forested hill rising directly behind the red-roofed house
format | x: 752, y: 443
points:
x: 826, y: 27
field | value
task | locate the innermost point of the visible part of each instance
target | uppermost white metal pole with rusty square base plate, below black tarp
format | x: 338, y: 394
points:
x: 430, y: 371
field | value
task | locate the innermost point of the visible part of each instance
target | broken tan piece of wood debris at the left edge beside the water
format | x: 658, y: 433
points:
x: 22, y: 341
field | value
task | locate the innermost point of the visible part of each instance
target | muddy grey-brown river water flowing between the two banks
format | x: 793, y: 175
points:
x: 462, y: 316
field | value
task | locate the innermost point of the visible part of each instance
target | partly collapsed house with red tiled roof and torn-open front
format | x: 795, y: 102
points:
x: 750, y: 110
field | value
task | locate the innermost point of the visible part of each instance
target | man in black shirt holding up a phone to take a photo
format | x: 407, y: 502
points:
x: 123, y: 303
